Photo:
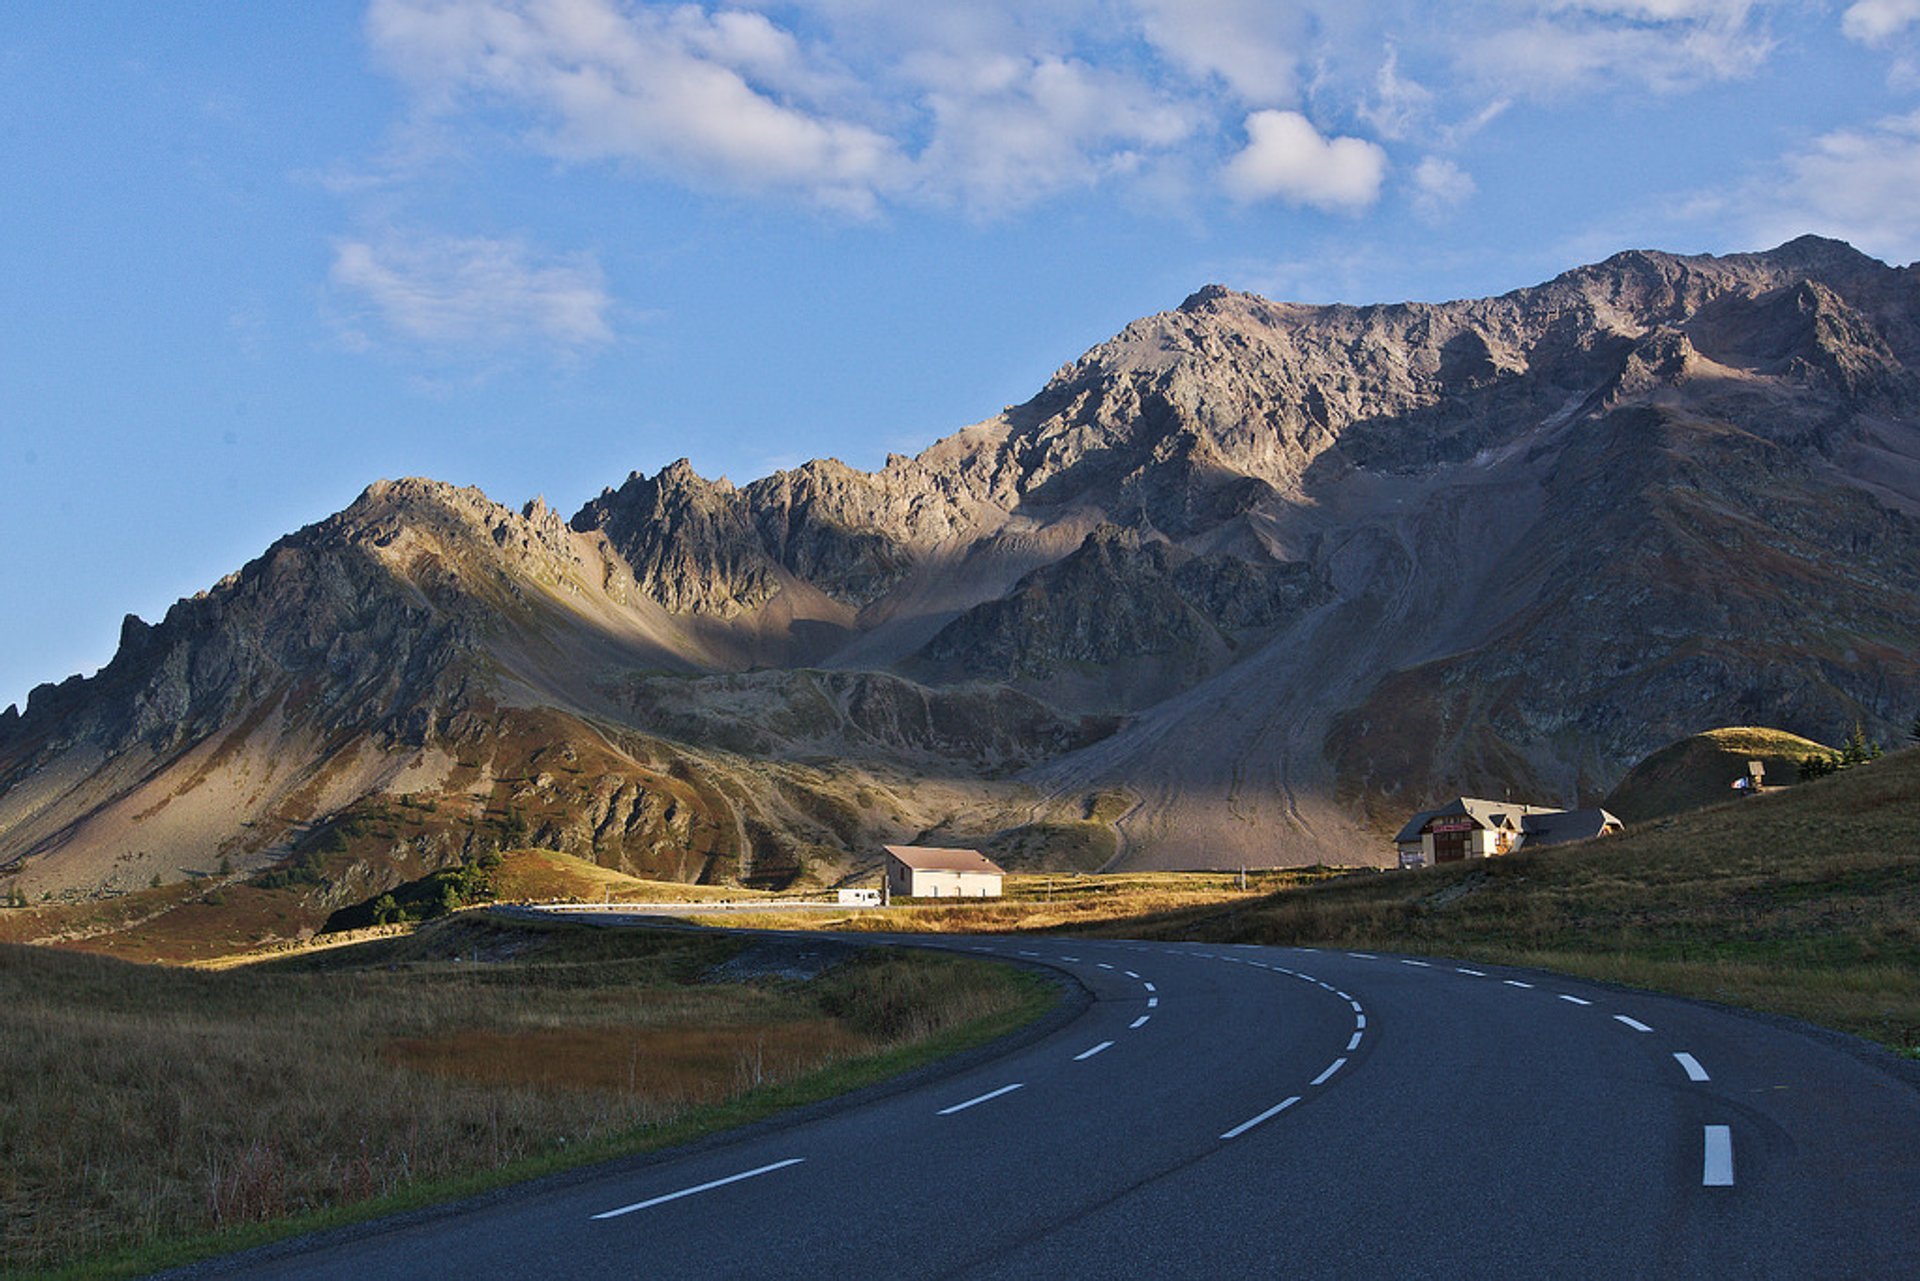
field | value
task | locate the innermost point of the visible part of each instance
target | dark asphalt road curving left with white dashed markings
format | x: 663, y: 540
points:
x: 1280, y: 1113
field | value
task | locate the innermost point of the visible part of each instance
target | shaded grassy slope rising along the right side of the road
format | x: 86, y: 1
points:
x: 1804, y: 902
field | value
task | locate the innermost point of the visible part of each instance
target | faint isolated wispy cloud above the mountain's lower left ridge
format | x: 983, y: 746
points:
x: 469, y: 297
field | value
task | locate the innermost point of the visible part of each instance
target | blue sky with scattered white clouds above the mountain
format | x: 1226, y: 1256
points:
x: 258, y: 256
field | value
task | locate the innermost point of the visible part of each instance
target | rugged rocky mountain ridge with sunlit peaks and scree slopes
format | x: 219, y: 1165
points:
x: 1239, y: 587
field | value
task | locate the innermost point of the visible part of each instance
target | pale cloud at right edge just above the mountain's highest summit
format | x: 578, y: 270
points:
x: 1858, y: 185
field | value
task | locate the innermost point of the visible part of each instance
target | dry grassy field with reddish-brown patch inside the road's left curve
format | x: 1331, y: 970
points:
x: 155, y: 1115
